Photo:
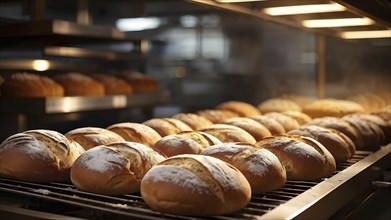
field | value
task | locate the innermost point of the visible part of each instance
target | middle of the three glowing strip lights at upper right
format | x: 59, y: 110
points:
x: 340, y: 22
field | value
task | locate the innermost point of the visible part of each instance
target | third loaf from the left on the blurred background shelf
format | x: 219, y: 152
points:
x: 113, y: 85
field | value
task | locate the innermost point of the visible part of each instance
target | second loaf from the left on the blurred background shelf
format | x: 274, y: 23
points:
x: 77, y: 84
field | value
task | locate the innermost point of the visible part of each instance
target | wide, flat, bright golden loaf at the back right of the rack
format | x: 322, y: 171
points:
x: 332, y: 107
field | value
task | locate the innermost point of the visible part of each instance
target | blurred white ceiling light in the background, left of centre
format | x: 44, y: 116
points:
x: 137, y: 24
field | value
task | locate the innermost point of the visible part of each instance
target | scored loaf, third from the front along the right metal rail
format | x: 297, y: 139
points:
x: 303, y: 158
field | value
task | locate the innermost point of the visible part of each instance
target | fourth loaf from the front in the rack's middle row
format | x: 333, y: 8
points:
x: 257, y: 130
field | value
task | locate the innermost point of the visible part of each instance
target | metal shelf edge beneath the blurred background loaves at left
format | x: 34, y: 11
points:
x: 78, y: 103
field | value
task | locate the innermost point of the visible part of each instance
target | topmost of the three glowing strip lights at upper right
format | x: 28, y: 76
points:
x: 304, y: 9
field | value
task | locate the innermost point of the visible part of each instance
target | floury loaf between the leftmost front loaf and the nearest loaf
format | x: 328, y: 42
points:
x: 113, y: 169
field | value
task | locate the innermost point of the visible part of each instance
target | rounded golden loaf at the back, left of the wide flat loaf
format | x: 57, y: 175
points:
x: 278, y: 105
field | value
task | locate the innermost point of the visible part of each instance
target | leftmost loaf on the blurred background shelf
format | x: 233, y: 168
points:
x: 26, y: 85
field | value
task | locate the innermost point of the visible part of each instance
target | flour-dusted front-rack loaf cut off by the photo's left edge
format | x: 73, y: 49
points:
x: 38, y: 156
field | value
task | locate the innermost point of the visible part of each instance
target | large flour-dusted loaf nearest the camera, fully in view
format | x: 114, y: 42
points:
x: 195, y: 185
